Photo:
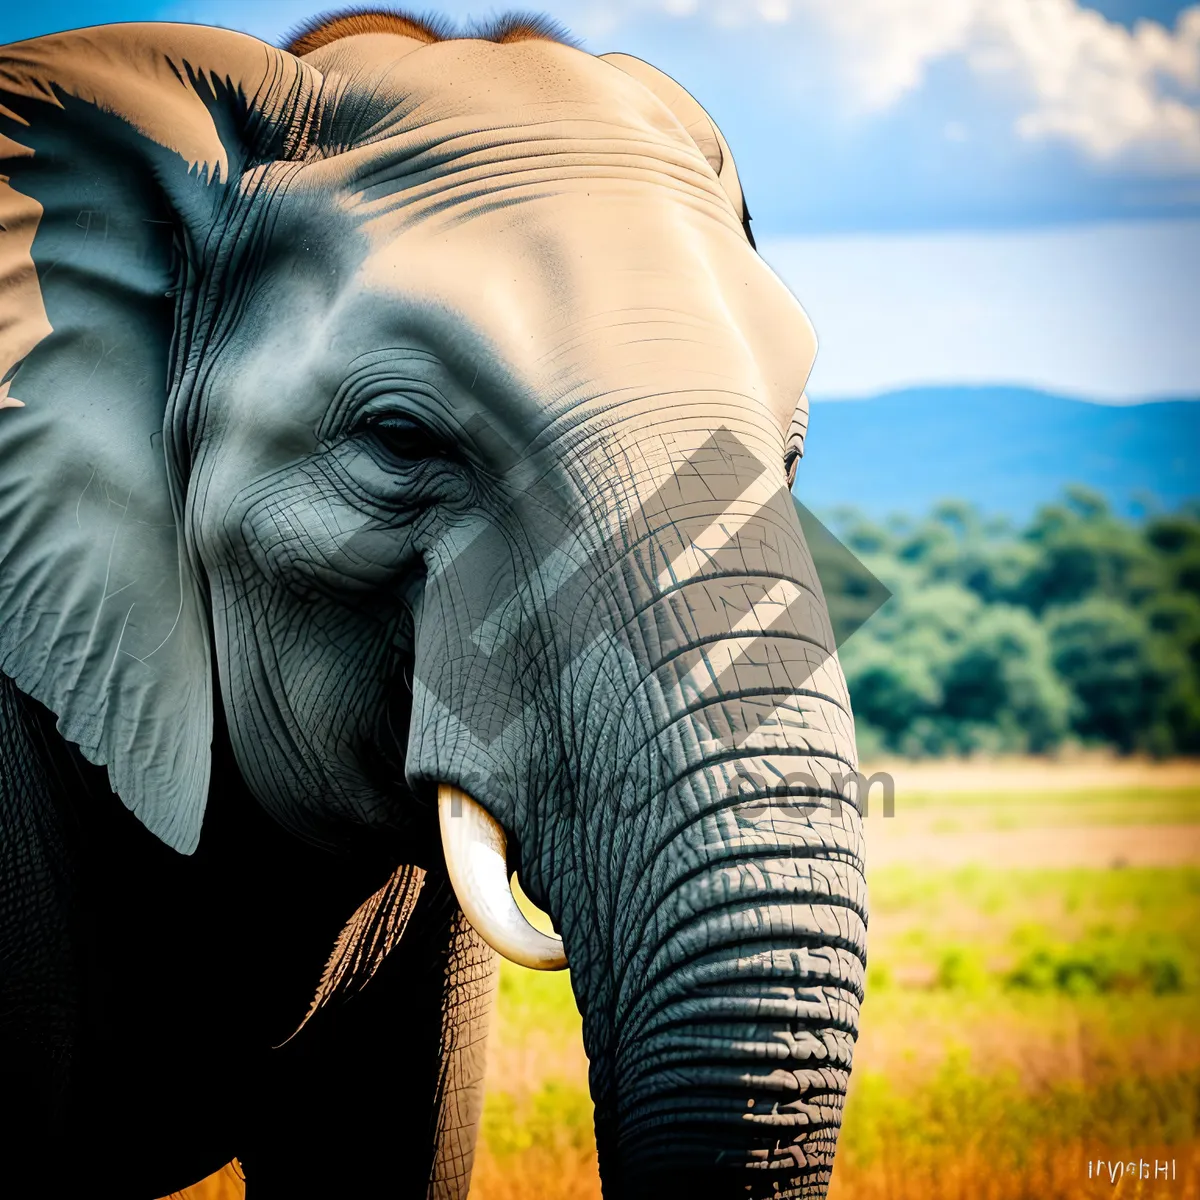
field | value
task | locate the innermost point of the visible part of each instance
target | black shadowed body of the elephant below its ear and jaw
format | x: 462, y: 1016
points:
x: 158, y: 1033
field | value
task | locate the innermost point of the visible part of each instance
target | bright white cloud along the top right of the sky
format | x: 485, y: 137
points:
x: 1117, y: 94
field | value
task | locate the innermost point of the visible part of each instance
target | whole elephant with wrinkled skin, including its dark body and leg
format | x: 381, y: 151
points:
x: 397, y: 442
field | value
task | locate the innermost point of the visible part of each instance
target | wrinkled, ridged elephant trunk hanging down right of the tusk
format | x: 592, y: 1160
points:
x: 716, y: 909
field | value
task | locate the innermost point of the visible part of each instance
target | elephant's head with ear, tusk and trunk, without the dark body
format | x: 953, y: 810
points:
x: 424, y: 399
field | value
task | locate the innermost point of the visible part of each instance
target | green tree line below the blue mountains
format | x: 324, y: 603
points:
x: 1083, y: 626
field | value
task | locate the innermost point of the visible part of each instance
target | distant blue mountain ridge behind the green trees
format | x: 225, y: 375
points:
x: 1006, y: 449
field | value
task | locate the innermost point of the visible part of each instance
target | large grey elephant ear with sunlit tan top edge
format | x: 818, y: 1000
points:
x: 119, y: 145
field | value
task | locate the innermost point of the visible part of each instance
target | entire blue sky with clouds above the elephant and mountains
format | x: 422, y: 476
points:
x: 1018, y: 179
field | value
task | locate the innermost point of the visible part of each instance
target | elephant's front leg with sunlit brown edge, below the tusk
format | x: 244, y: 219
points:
x: 345, y: 1108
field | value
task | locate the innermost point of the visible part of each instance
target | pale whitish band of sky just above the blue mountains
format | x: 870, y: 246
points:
x: 1108, y: 313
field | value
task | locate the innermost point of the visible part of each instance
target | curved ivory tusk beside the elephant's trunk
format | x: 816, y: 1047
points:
x: 476, y: 853
